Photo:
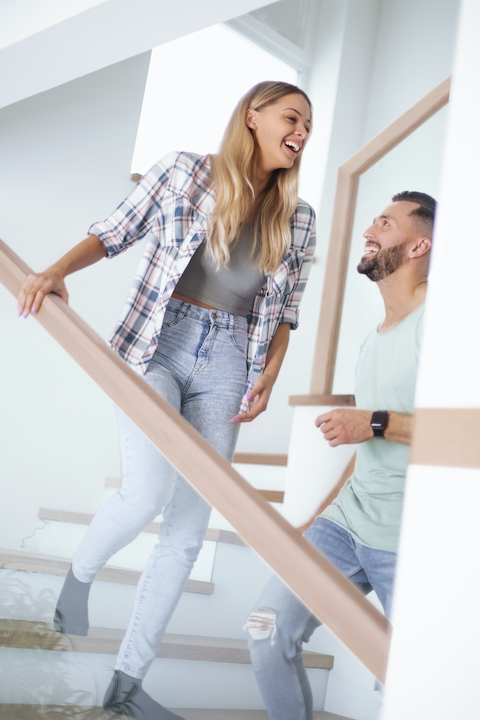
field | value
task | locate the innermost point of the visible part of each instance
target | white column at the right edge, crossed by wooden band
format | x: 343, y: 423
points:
x: 434, y: 670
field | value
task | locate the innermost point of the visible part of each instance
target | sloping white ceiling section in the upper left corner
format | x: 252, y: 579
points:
x: 71, y: 38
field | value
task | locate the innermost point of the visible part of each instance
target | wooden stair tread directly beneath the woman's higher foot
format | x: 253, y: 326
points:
x: 28, y: 634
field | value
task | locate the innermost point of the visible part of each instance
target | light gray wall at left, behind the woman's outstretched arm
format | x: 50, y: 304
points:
x: 65, y: 162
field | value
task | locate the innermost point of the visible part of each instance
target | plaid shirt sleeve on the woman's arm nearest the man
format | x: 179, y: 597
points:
x: 300, y: 268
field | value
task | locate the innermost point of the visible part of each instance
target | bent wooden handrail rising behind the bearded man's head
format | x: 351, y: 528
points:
x: 342, y: 224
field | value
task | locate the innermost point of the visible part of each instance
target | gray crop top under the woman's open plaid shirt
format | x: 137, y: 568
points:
x: 233, y: 287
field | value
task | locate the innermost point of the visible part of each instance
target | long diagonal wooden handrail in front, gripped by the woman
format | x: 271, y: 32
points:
x: 330, y: 596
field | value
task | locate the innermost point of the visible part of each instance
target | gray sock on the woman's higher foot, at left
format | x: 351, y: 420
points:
x: 71, y: 613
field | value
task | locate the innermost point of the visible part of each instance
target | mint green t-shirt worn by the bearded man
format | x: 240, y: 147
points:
x: 369, y: 506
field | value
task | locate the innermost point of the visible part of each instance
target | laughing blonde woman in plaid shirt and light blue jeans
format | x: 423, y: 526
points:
x: 207, y: 321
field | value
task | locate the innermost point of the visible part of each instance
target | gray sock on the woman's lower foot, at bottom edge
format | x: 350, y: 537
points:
x: 125, y: 696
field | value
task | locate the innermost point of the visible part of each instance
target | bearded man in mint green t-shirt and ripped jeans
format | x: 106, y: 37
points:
x: 358, y: 532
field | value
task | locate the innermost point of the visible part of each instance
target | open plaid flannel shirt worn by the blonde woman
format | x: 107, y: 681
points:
x: 171, y: 207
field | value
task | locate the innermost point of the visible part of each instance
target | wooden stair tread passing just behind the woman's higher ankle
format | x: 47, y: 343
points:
x: 31, y: 562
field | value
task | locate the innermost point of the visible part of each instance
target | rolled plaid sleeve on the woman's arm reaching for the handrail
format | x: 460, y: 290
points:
x: 133, y: 218
